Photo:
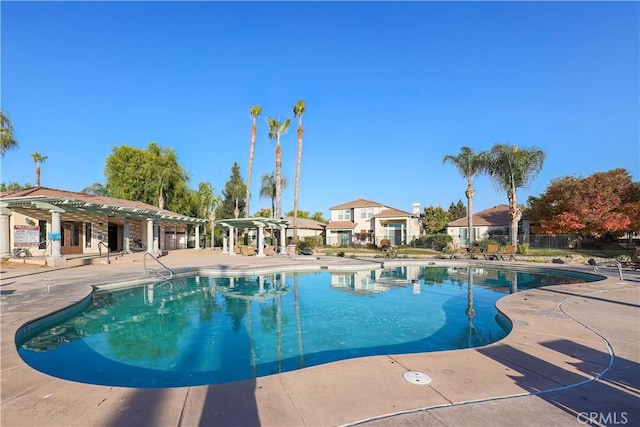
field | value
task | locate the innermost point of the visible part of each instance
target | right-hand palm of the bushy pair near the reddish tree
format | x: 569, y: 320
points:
x: 511, y: 168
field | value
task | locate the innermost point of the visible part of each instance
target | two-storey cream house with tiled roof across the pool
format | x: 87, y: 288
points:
x: 364, y: 222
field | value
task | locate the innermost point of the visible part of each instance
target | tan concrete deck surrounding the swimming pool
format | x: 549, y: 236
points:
x: 573, y: 355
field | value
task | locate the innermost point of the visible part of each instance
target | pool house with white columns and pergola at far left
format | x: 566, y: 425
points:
x: 56, y: 223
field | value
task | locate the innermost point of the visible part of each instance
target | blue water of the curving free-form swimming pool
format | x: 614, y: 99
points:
x: 206, y: 330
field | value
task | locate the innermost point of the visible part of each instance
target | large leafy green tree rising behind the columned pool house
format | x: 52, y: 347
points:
x: 153, y: 176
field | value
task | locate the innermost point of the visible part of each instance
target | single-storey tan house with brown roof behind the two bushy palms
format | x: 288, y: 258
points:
x: 494, y: 220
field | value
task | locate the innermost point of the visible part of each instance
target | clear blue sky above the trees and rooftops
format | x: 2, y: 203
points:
x: 390, y: 88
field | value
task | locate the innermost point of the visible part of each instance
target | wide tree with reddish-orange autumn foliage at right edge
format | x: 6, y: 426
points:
x: 603, y: 204
